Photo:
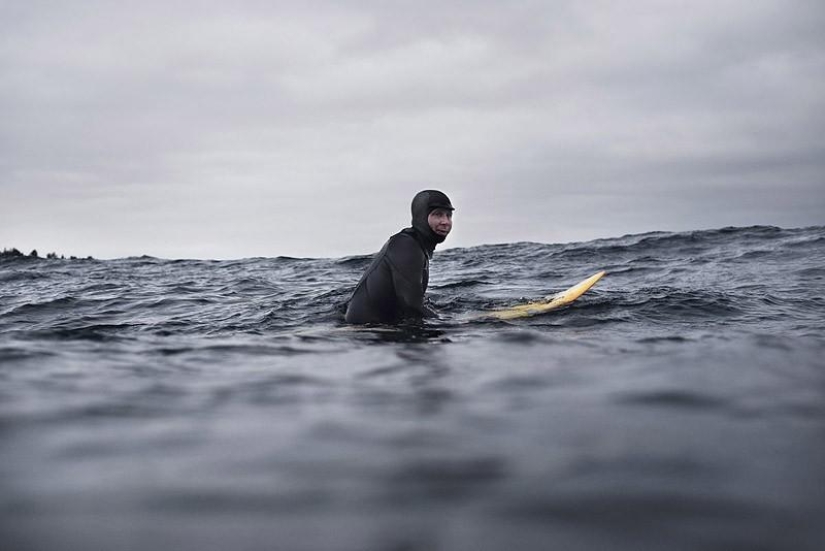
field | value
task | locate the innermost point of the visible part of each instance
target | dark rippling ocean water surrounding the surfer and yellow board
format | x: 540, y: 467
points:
x: 200, y: 405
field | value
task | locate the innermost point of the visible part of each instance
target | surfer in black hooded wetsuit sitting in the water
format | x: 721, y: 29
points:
x: 392, y: 289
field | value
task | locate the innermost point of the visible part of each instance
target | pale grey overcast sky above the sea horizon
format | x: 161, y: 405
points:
x: 234, y: 129
